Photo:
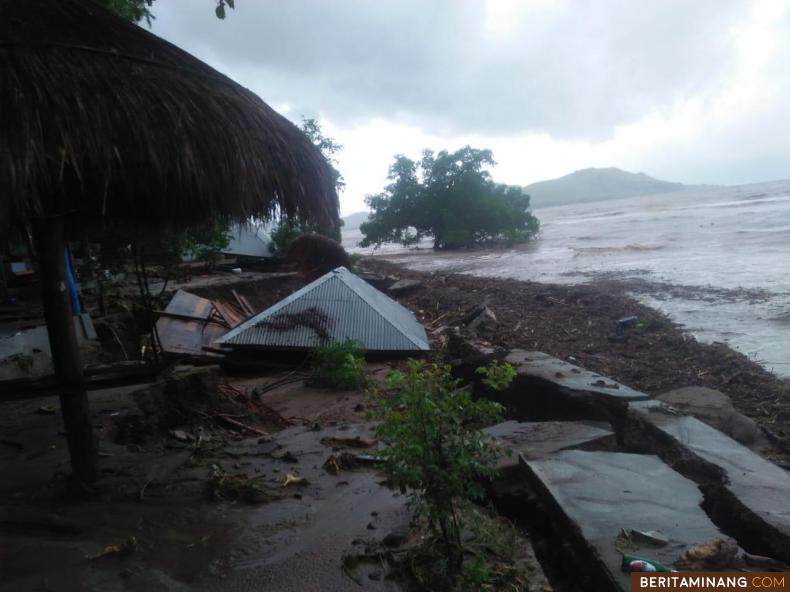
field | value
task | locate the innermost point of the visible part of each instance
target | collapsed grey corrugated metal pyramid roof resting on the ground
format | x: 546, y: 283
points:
x: 354, y: 310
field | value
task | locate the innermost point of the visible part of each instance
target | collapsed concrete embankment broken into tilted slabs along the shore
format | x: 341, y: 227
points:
x: 604, y: 471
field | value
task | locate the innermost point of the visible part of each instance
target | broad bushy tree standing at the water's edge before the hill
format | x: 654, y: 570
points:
x: 451, y: 198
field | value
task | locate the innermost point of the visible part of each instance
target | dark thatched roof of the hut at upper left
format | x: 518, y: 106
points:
x: 106, y: 121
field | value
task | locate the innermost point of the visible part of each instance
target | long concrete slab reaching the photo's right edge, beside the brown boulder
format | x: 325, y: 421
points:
x: 746, y: 494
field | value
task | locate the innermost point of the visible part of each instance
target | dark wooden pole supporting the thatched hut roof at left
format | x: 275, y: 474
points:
x: 50, y: 244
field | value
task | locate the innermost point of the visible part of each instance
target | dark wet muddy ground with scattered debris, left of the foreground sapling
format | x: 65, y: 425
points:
x: 209, y: 482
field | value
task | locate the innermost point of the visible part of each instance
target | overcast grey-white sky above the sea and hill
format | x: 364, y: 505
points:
x: 696, y: 91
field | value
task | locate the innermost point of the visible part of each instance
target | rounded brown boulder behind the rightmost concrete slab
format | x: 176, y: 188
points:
x: 715, y: 409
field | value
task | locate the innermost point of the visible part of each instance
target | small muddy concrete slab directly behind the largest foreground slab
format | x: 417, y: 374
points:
x: 536, y: 440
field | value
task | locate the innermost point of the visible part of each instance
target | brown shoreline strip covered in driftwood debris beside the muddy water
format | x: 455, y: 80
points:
x: 578, y: 322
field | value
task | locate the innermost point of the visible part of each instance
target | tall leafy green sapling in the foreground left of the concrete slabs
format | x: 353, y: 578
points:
x: 435, y: 450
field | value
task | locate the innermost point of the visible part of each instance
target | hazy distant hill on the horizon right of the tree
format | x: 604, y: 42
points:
x: 597, y: 185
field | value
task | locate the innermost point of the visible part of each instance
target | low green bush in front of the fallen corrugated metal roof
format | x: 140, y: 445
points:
x: 340, y: 366
